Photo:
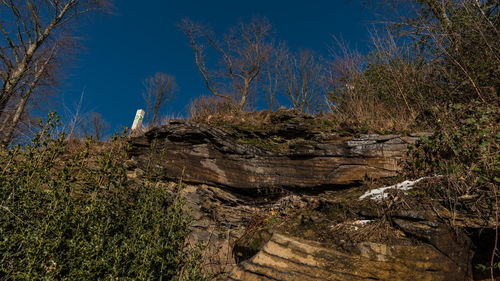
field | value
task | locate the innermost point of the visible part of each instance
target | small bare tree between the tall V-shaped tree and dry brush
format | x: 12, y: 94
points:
x: 305, y: 81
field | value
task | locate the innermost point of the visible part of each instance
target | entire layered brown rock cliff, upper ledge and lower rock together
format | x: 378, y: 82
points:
x: 281, y: 201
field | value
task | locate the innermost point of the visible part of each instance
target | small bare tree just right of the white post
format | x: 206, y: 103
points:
x: 158, y: 90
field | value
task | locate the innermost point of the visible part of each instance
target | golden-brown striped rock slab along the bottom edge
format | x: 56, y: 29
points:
x: 286, y: 258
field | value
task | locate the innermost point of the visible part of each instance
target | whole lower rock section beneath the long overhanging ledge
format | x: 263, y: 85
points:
x: 296, y: 237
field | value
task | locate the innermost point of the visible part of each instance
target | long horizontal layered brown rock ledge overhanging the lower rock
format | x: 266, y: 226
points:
x: 220, y: 157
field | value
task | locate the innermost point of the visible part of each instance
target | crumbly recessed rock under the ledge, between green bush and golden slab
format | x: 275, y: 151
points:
x: 221, y: 219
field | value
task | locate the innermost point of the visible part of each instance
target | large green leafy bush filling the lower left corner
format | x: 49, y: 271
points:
x: 67, y: 211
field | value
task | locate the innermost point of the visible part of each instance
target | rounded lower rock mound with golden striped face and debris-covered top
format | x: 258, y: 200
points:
x: 338, y: 237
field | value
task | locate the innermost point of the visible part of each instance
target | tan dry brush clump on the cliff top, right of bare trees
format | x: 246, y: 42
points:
x: 386, y: 91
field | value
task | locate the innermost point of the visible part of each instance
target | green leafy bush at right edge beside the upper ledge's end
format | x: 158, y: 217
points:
x: 464, y: 147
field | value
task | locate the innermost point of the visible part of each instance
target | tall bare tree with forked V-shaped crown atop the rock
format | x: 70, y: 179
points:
x: 242, y: 51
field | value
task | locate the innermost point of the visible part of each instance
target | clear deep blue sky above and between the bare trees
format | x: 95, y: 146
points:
x: 141, y: 38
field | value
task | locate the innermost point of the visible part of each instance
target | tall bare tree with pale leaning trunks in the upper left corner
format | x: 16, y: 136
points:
x: 33, y: 34
